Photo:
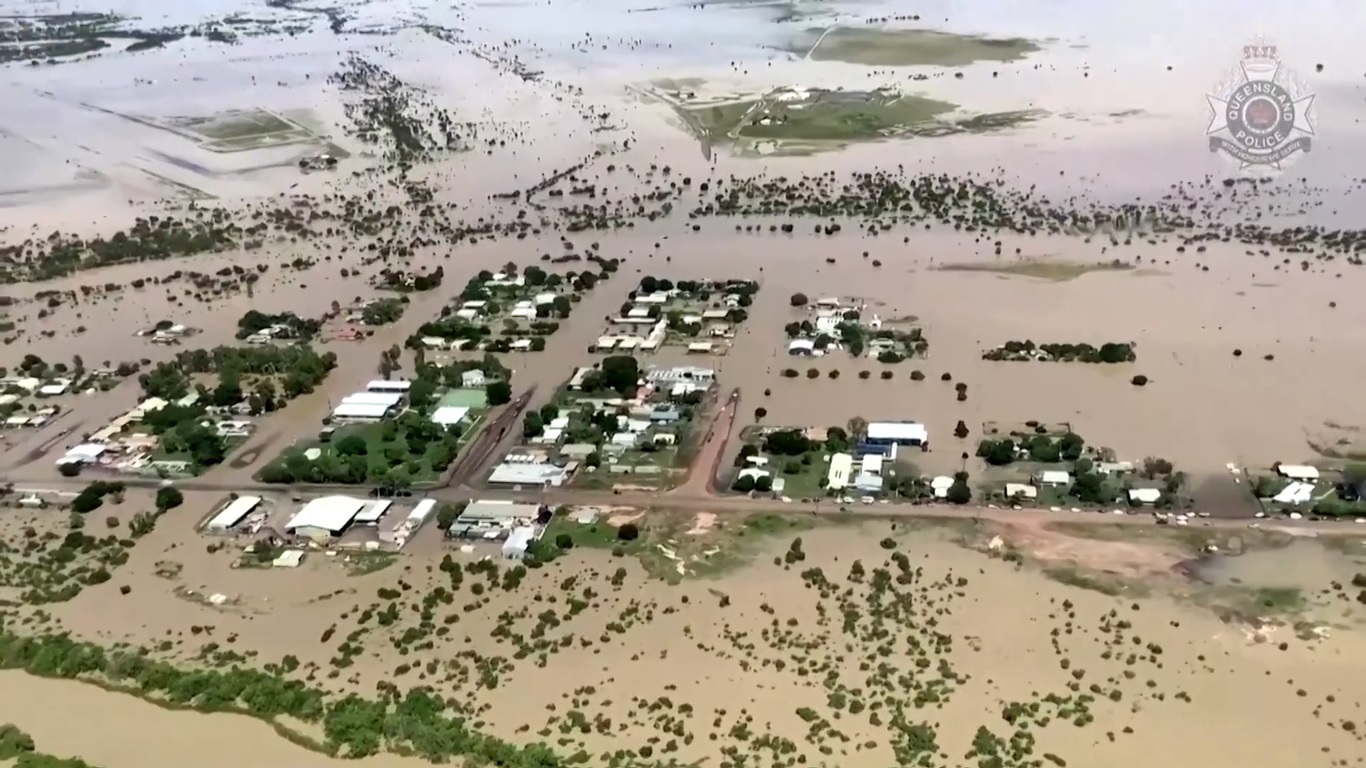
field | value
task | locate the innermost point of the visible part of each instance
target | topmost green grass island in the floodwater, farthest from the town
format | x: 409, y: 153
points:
x: 908, y: 47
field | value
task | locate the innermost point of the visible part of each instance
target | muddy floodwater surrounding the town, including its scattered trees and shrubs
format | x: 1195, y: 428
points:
x: 718, y: 639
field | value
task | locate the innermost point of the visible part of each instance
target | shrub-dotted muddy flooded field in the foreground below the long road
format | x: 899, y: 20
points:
x: 775, y: 640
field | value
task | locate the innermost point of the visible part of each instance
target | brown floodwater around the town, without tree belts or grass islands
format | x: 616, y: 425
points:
x: 1126, y: 95
